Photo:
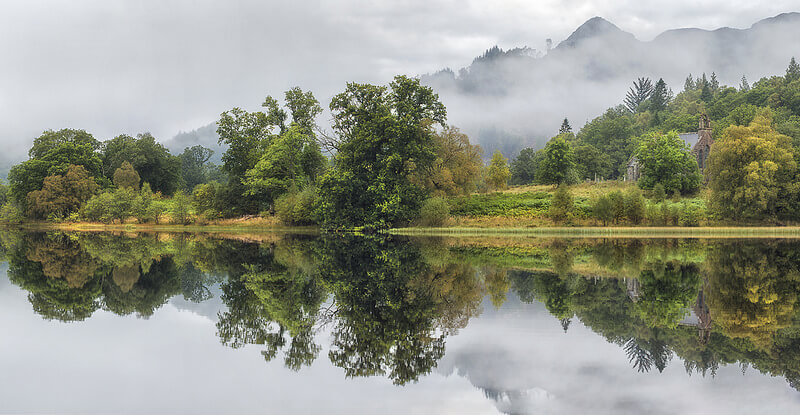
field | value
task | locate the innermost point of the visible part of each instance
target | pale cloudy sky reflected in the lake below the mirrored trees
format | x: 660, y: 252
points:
x: 514, y: 360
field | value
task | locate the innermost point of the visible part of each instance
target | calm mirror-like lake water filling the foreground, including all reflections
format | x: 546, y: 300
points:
x: 183, y: 323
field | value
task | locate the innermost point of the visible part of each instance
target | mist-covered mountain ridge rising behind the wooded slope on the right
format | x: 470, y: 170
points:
x: 508, y: 100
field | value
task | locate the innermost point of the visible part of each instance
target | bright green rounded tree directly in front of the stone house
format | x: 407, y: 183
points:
x: 666, y: 160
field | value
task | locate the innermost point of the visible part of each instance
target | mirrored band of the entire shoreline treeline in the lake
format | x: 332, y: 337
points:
x: 391, y: 303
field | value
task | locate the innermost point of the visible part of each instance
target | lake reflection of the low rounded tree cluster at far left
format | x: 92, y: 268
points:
x: 70, y: 276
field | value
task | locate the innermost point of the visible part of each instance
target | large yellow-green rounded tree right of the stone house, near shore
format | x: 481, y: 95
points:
x: 751, y: 172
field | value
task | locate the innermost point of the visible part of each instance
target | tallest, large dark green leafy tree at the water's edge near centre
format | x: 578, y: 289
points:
x: 385, y: 138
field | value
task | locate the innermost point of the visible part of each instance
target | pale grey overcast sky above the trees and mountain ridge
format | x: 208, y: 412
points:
x: 114, y: 67
